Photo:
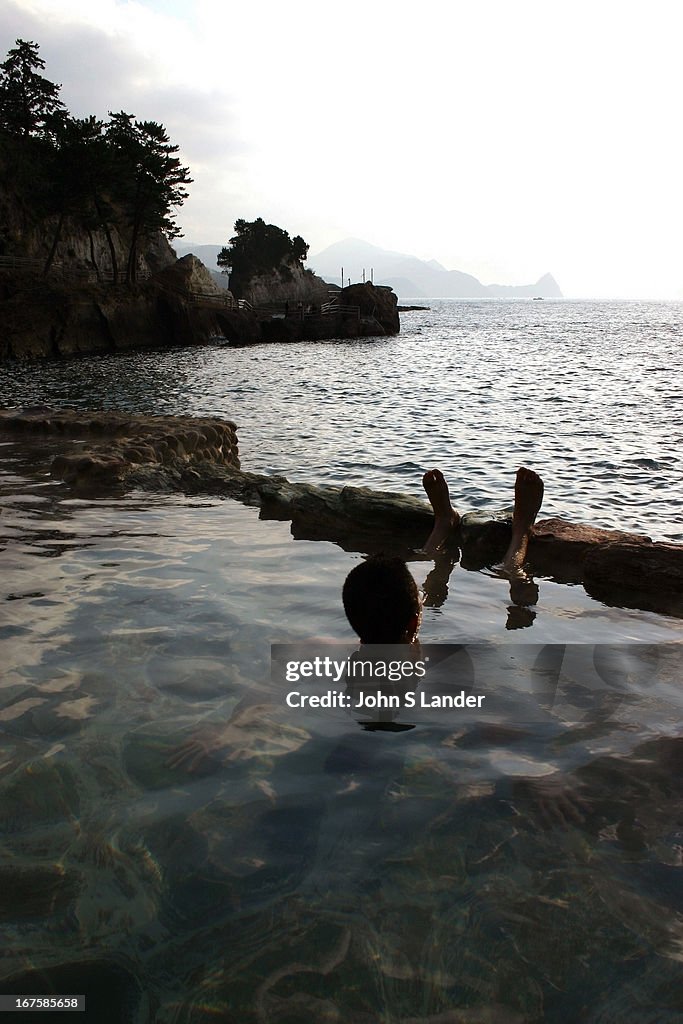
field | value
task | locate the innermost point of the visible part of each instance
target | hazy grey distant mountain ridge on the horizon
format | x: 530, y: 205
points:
x: 412, y: 277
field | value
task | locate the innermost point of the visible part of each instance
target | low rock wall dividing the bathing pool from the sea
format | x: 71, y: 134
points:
x: 201, y: 456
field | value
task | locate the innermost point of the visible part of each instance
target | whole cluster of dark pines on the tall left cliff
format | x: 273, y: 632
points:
x: 122, y: 176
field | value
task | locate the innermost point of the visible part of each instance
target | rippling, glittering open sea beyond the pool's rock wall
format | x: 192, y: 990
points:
x: 474, y: 387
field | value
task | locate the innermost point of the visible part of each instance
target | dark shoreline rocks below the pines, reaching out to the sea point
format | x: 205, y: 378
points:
x: 180, y: 306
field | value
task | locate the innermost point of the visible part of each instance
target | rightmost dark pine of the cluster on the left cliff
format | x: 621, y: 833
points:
x: 151, y: 180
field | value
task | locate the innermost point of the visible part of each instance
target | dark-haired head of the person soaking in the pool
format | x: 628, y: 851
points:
x: 382, y: 602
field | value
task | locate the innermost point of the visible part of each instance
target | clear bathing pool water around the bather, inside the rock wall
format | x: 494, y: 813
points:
x: 177, y: 836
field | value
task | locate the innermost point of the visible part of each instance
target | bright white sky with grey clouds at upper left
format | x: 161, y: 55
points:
x: 505, y: 140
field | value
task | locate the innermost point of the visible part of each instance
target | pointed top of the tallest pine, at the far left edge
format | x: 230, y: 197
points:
x: 29, y: 103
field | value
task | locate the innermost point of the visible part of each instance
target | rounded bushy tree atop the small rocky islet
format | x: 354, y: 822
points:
x: 258, y: 248
